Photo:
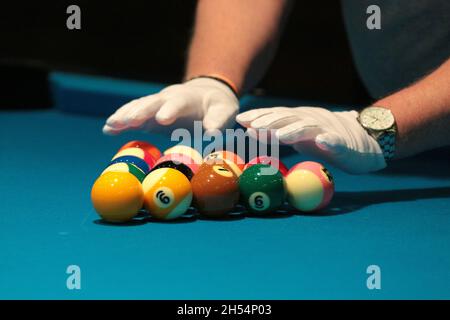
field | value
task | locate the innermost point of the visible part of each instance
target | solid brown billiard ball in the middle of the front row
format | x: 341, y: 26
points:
x: 216, y: 190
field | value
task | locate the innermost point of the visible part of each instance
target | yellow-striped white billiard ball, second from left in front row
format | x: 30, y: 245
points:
x: 167, y: 193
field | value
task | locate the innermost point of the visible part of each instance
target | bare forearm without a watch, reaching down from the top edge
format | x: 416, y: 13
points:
x: 235, y: 38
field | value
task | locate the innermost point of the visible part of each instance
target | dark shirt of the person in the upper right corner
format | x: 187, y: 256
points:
x: 414, y: 39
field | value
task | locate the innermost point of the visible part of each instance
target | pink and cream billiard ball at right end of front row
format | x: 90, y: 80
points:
x: 310, y: 186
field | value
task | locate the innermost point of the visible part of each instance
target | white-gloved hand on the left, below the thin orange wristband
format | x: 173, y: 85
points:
x: 199, y: 99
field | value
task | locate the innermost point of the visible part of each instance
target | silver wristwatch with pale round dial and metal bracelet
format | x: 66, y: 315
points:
x: 380, y: 123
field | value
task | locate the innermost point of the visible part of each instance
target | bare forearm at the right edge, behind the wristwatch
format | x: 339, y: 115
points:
x: 422, y: 113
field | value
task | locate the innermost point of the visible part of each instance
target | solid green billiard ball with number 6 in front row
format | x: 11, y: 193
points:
x: 262, y: 189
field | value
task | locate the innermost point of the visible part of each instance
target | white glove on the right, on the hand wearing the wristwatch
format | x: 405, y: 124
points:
x: 336, y: 137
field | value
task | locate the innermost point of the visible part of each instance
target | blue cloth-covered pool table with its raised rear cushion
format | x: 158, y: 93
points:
x: 397, y: 219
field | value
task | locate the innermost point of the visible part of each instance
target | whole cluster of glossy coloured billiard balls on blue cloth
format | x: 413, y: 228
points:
x: 166, y: 185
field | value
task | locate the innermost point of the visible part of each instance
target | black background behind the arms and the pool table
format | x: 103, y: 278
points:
x: 147, y: 40
